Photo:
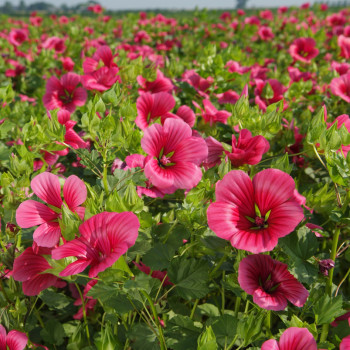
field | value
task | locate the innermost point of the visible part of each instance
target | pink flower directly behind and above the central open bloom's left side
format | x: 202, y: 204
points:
x: 152, y: 106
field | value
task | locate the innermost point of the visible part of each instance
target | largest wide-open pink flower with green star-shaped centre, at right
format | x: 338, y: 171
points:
x: 252, y: 215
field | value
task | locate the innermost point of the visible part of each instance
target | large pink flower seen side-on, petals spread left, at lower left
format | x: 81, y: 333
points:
x: 105, y: 237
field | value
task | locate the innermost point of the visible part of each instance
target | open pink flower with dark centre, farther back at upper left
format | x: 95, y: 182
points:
x: 63, y: 93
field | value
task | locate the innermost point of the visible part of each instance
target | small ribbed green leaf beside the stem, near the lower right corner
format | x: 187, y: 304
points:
x: 327, y: 309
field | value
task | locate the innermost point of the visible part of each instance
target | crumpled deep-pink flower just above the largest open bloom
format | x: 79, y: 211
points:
x: 248, y: 149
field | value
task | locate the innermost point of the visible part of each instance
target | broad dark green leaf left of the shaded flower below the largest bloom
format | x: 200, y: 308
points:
x: 190, y: 277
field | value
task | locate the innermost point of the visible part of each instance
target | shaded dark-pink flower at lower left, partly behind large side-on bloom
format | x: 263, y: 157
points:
x: 28, y: 268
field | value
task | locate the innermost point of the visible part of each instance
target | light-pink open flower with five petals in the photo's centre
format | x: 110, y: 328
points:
x: 176, y: 155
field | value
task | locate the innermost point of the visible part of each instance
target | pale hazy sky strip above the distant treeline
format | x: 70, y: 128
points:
x: 178, y: 4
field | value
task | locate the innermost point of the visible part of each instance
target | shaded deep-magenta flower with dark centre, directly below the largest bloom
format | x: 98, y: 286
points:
x: 270, y: 283
